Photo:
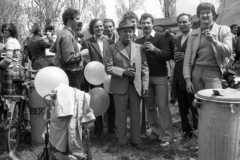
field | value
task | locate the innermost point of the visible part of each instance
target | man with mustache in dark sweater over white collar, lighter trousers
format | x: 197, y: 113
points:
x: 157, y: 52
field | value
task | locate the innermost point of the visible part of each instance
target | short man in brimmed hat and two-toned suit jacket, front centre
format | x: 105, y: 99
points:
x: 127, y: 64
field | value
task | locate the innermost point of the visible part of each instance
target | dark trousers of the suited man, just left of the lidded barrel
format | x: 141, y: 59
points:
x: 185, y: 100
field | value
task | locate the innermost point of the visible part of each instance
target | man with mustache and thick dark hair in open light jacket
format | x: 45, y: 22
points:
x: 208, y: 48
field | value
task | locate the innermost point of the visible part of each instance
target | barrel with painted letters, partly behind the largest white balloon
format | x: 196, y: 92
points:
x: 37, y: 110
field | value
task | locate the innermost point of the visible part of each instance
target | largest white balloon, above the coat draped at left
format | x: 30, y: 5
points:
x: 49, y: 78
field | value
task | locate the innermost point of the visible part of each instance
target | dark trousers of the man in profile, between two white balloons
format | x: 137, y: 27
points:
x: 75, y: 78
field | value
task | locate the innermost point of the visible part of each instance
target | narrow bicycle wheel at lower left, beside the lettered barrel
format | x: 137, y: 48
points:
x: 13, y: 130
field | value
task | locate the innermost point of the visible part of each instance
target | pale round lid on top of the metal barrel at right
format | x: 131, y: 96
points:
x: 226, y: 95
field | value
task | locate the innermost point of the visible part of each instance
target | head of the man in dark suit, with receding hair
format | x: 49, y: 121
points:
x: 184, y: 22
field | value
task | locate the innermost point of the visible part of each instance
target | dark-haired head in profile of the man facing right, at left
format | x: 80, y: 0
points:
x: 70, y: 18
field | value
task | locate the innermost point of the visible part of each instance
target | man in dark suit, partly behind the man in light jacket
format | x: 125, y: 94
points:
x: 185, y: 99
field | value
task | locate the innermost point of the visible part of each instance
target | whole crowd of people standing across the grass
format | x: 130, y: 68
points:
x: 136, y: 58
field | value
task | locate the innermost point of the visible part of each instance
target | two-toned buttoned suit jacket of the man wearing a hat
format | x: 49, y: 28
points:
x: 117, y: 60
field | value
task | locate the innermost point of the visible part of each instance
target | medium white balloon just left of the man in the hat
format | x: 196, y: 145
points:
x: 94, y: 73
